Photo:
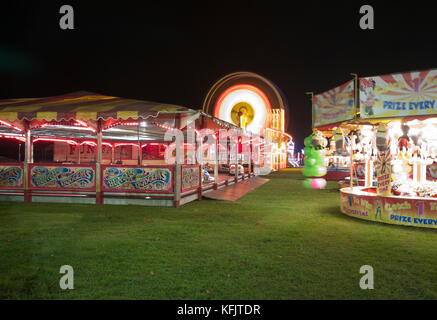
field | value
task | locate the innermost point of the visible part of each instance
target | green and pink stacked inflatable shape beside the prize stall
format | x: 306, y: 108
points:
x: 314, y: 165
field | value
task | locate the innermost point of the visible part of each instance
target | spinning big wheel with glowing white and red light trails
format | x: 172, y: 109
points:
x: 251, y: 101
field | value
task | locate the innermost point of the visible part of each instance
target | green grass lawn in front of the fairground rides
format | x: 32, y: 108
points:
x: 280, y: 241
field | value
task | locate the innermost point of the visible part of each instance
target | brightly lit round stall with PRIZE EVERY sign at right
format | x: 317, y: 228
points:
x: 392, y: 146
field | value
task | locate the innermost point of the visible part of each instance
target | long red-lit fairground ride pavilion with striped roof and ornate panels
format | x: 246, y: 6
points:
x: 89, y: 148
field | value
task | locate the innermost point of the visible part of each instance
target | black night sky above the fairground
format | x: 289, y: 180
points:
x: 174, y: 51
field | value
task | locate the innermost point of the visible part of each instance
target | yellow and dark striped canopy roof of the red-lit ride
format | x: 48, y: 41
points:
x: 83, y: 105
